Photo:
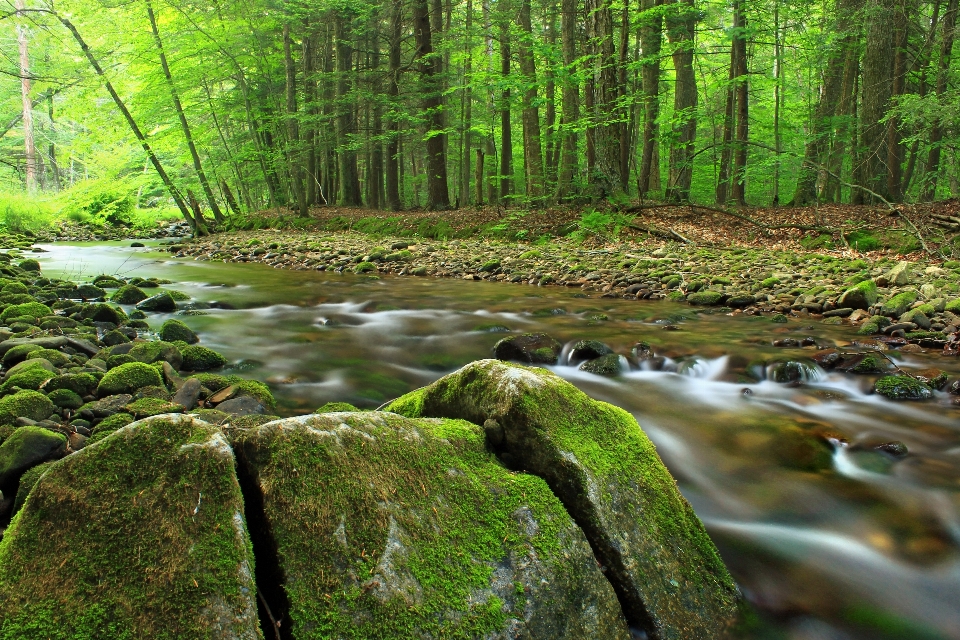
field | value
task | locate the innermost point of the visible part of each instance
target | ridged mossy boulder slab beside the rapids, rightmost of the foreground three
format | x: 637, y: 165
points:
x: 597, y: 460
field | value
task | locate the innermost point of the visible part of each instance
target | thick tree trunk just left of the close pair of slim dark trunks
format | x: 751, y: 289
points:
x: 681, y: 31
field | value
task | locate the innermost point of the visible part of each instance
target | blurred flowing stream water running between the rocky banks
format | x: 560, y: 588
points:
x: 826, y: 540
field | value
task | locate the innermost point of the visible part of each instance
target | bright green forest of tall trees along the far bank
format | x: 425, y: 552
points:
x: 218, y: 108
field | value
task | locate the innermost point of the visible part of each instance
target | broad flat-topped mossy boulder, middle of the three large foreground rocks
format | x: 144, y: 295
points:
x: 412, y: 529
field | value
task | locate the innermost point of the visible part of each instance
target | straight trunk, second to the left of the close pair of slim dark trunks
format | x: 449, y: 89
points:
x: 651, y: 39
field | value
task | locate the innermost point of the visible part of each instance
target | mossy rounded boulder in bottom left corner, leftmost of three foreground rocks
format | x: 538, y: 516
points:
x: 157, y: 547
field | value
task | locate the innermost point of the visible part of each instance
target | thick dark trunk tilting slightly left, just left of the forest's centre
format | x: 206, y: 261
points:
x: 438, y: 195
